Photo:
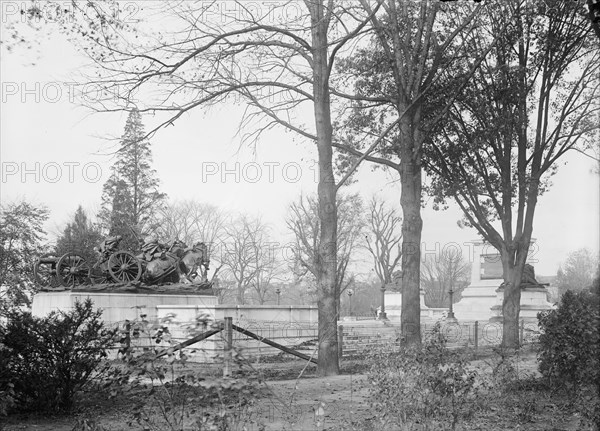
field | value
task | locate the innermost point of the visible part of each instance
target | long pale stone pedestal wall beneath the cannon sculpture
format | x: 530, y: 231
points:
x: 186, y: 315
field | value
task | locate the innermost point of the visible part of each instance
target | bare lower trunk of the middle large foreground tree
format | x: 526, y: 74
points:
x: 412, y: 224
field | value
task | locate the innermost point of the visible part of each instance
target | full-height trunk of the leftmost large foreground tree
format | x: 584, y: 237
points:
x: 326, y: 259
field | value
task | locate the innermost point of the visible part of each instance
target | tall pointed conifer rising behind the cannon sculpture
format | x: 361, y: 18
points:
x: 131, y: 197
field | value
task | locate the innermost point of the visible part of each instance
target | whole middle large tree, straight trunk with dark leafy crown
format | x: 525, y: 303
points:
x: 405, y: 67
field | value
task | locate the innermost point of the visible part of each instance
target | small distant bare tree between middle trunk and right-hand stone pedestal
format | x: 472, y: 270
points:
x: 442, y: 273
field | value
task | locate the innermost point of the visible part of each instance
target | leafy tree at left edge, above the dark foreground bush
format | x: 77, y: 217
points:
x: 21, y: 234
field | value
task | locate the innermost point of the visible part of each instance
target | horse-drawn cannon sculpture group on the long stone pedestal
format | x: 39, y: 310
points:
x: 157, y: 263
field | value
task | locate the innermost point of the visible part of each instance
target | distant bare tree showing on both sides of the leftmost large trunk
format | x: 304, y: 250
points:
x: 304, y: 223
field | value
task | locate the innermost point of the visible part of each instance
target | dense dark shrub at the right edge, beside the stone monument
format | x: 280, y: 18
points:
x: 569, y: 340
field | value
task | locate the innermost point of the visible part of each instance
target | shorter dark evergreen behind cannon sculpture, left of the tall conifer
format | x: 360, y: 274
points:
x: 80, y: 236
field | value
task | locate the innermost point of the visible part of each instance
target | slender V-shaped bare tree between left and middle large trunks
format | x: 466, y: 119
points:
x: 383, y: 239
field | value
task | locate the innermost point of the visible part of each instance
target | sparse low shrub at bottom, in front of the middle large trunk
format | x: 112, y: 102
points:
x: 427, y: 384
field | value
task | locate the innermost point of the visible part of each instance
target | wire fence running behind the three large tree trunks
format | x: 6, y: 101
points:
x: 354, y: 338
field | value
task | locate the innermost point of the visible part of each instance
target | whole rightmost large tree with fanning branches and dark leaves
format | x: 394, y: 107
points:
x: 493, y: 158
